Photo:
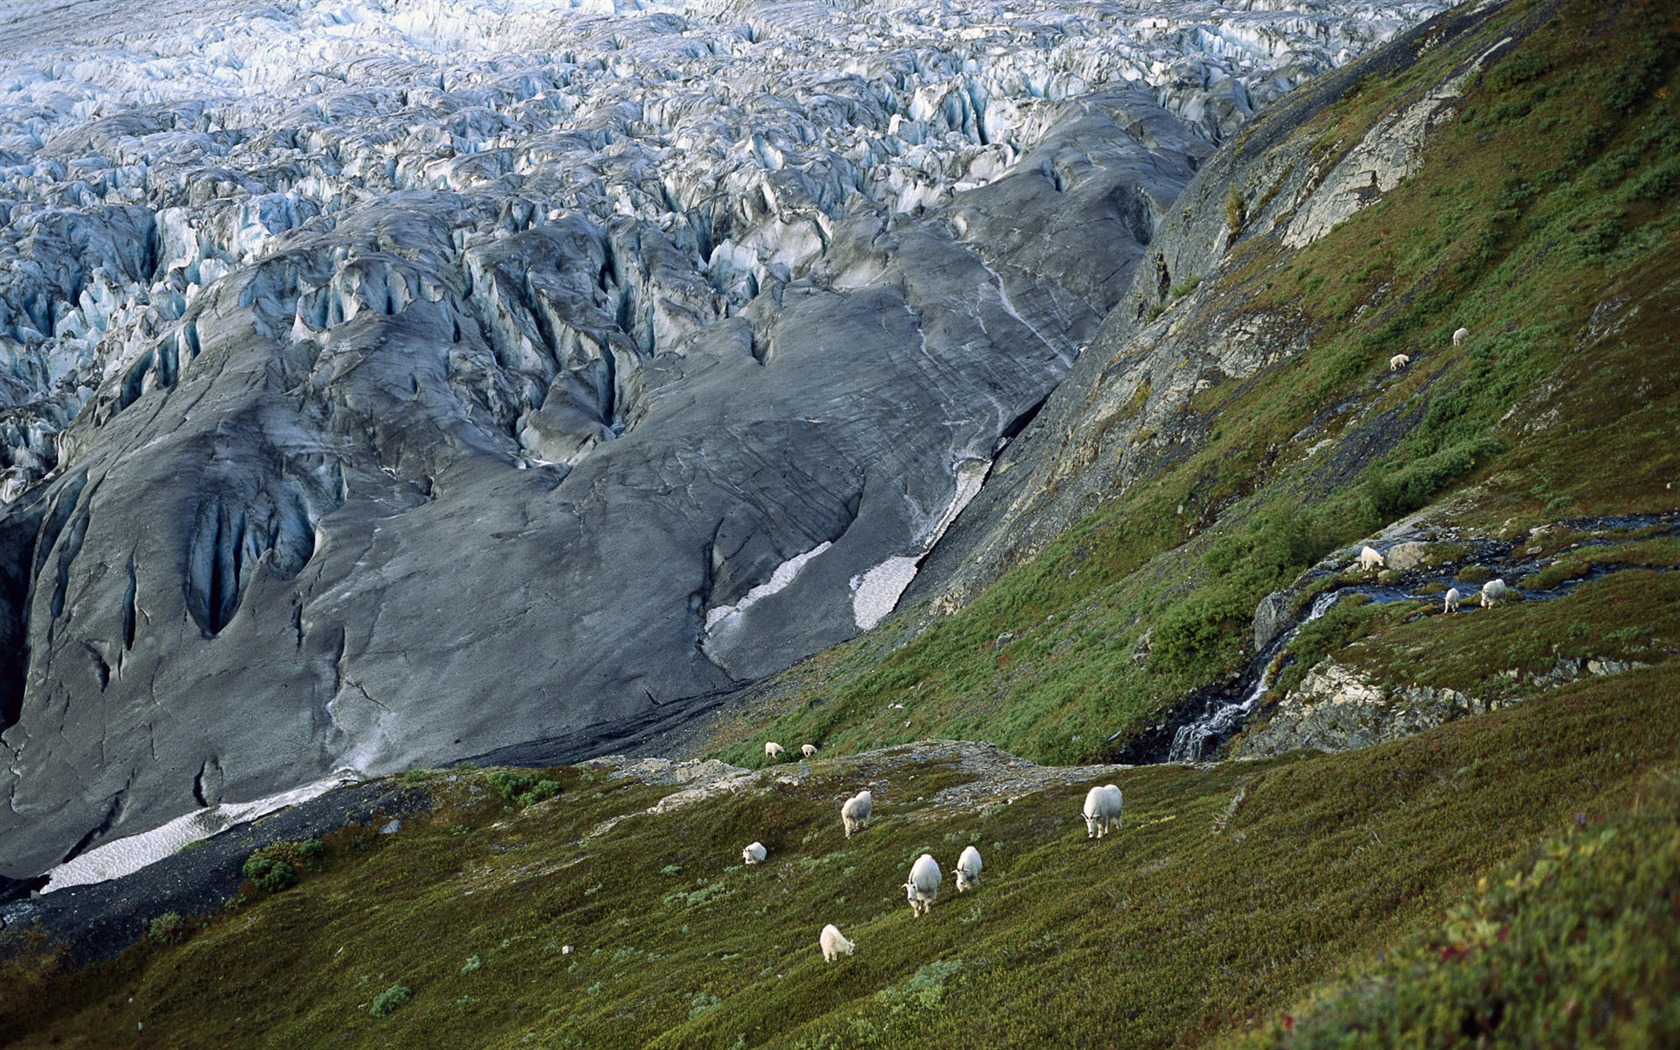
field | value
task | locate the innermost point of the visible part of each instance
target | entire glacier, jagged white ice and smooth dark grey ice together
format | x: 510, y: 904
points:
x: 387, y: 384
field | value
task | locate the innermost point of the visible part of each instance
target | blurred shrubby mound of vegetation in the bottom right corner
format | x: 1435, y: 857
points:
x: 1575, y: 947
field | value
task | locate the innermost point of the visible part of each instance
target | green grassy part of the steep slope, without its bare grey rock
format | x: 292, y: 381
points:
x: 1543, y: 219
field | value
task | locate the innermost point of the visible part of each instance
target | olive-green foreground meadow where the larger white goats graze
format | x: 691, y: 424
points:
x: 1229, y: 896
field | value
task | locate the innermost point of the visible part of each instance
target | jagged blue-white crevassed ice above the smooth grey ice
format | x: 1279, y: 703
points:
x: 140, y: 165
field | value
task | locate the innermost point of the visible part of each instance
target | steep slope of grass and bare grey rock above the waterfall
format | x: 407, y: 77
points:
x: 1214, y: 454
